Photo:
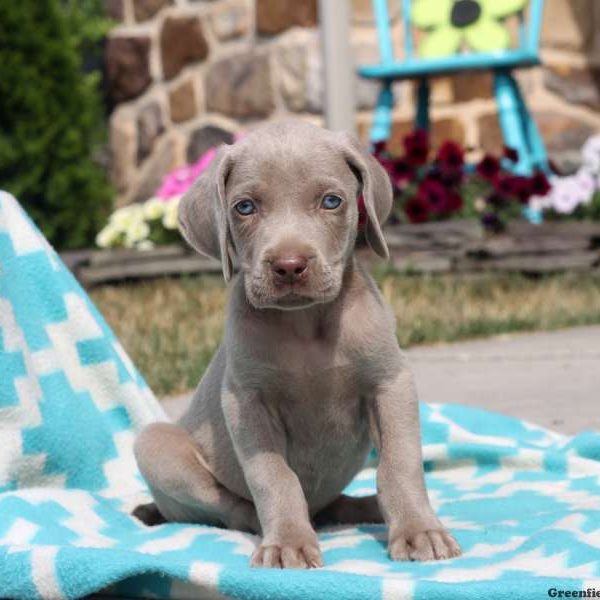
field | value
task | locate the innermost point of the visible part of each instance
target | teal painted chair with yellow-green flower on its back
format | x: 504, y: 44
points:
x: 455, y: 36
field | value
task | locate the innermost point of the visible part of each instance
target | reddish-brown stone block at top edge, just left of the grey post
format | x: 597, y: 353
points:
x: 275, y: 16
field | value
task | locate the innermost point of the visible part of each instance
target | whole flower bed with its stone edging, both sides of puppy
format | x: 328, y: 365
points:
x: 448, y: 216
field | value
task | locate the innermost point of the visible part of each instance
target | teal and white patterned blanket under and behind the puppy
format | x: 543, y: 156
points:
x: 523, y: 502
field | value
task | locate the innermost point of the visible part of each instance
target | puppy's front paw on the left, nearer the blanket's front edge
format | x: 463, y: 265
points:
x: 290, y: 550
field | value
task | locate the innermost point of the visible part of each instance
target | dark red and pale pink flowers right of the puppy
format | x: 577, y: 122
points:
x: 439, y: 185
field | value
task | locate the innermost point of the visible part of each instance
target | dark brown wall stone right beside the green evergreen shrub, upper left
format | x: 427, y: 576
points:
x: 127, y: 61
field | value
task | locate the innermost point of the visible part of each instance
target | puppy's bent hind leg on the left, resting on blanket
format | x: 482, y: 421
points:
x: 183, y: 488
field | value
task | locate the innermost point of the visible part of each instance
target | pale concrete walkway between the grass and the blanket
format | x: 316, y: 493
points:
x: 552, y: 379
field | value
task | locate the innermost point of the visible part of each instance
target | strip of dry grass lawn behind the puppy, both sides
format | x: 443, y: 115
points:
x: 171, y: 327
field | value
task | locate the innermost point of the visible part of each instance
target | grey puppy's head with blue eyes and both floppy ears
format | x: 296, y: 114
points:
x: 284, y: 202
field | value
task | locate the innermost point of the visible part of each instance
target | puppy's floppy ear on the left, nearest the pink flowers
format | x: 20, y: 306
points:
x: 203, y: 213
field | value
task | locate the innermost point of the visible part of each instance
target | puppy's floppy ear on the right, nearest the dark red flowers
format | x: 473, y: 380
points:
x: 376, y: 190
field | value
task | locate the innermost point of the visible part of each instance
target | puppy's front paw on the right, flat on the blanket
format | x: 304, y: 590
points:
x: 428, y: 544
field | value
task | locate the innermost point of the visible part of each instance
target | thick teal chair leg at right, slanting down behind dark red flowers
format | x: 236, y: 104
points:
x: 511, y: 123
